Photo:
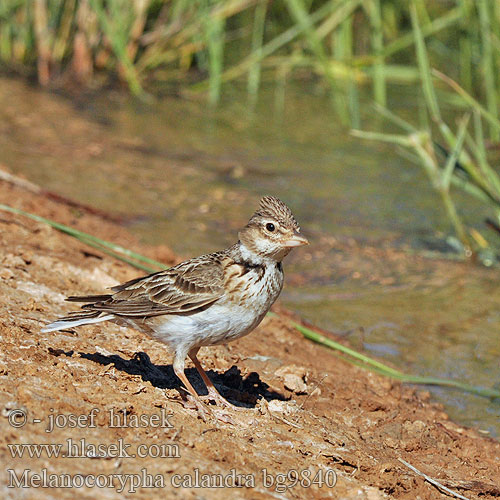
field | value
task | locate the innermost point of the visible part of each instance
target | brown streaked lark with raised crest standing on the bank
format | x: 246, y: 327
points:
x: 208, y: 300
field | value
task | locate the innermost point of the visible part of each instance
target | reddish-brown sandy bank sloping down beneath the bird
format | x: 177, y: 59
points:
x: 106, y: 399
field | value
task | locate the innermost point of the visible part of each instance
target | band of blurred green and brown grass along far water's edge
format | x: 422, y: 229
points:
x: 185, y: 42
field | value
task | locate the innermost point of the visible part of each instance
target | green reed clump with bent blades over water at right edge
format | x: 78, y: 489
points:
x: 465, y: 162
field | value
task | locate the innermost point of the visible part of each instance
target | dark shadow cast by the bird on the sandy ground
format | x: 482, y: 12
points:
x: 242, y: 391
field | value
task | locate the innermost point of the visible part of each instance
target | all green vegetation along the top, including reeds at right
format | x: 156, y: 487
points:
x: 448, y: 49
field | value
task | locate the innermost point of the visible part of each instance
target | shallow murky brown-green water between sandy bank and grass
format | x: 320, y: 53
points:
x: 193, y: 176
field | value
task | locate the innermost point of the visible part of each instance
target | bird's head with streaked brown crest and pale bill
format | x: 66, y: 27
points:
x: 272, y: 230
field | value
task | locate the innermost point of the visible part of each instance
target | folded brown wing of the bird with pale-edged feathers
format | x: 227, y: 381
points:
x: 186, y: 287
